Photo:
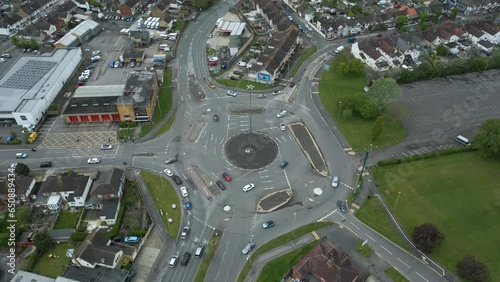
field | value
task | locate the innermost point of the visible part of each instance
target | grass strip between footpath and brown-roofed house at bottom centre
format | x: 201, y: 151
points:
x: 276, y: 269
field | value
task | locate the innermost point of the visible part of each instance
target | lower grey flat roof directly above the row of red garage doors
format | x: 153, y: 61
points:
x: 91, y: 105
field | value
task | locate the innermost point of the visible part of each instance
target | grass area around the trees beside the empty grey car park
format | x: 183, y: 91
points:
x: 356, y: 129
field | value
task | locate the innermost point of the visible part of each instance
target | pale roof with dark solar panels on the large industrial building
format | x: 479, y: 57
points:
x: 31, y: 77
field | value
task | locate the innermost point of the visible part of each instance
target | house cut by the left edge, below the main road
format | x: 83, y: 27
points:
x: 23, y: 188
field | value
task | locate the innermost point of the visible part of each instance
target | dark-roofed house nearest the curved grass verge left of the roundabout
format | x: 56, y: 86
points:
x: 106, y: 194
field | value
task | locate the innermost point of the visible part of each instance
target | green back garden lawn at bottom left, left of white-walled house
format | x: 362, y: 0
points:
x: 53, y: 267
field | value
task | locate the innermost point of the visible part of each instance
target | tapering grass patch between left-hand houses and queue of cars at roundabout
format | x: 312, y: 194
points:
x: 164, y: 195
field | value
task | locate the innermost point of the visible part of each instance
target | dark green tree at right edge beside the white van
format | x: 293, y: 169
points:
x: 487, y: 139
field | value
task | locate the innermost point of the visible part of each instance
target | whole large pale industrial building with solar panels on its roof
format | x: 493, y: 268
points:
x: 33, y: 82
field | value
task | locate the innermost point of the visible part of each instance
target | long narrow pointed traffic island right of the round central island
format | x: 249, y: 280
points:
x: 309, y: 147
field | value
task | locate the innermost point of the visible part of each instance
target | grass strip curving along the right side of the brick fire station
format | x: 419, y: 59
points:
x: 163, y: 105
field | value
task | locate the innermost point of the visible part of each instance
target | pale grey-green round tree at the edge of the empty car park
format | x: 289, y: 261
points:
x: 383, y: 91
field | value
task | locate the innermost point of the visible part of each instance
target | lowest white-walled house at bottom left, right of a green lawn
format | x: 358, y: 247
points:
x: 95, y: 251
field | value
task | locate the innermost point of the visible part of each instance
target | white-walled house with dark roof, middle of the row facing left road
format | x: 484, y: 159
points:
x: 73, y: 189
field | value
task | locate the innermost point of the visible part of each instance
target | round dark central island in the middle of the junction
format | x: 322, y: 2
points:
x: 251, y: 150
